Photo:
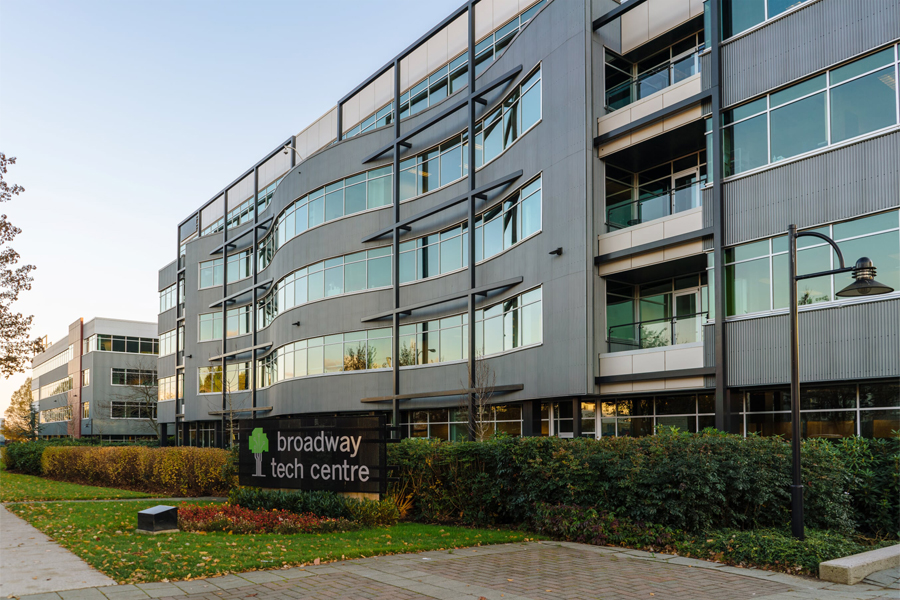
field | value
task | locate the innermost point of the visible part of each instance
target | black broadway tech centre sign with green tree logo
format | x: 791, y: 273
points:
x: 339, y: 454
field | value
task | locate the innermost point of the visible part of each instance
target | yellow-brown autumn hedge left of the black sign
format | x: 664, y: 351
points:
x: 182, y: 471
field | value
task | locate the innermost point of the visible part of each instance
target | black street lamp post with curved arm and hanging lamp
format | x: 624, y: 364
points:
x: 864, y: 285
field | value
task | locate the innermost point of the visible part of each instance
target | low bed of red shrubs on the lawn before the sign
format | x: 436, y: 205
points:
x: 236, y: 519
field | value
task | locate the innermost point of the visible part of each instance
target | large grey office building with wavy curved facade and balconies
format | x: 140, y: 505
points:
x: 629, y: 172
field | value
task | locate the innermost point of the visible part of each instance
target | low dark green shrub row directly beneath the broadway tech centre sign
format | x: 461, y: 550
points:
x: 368, y: 513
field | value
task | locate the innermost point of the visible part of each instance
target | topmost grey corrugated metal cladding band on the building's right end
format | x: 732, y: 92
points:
x: 815, y: 37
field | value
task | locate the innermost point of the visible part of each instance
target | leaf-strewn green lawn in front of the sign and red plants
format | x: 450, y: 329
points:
x: 102, y: 533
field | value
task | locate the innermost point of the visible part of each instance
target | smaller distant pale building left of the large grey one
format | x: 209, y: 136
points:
x: 99, y: 381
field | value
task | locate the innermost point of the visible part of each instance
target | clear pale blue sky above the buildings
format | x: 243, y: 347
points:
x: 126, y: 115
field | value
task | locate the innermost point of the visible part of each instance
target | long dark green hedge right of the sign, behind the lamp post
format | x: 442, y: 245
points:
x: 688, y: 482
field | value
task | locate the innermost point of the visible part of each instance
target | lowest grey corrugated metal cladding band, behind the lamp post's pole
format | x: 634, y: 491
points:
x: 857, y: 341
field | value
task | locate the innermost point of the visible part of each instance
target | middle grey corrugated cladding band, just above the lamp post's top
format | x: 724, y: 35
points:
x: 844, y: 183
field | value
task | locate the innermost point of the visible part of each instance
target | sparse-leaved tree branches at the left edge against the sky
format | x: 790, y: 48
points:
x: 15, y: 345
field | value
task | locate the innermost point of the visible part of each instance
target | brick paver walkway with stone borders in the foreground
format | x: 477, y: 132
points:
x: 527, y: 571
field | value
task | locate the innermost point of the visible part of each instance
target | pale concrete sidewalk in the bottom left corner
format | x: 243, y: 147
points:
x: 31, y: 563
